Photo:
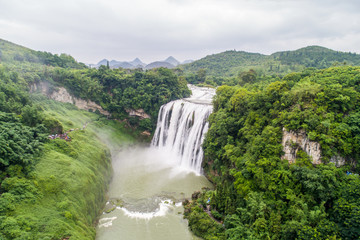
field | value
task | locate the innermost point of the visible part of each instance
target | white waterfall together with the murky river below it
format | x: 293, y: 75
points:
x: 149, y: 184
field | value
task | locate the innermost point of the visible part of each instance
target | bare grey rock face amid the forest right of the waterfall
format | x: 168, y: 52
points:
x: 294, y: 141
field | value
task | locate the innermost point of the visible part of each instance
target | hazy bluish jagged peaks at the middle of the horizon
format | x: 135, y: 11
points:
x: 170, y: 62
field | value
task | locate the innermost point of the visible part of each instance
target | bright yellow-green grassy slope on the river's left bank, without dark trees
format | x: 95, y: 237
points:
x: 71, y: 178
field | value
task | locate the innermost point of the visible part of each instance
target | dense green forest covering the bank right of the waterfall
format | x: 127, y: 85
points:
x: 258, y: 194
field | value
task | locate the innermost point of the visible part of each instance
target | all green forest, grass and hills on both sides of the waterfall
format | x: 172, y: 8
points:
x: 56, y: 188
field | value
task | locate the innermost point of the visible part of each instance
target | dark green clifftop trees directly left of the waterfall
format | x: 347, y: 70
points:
x: 118, y: 90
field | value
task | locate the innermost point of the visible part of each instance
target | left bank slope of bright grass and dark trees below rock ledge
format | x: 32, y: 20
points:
x: 51, y: 189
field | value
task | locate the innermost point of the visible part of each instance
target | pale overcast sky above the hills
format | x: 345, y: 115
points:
x: 91, y: 30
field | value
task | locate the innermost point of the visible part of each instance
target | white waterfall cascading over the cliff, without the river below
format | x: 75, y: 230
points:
x: 181, y: 128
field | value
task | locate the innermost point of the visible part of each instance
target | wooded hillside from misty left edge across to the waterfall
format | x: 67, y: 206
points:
x: 116, y: 90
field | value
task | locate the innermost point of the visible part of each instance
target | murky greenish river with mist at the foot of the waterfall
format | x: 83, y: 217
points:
x: 151, y: 191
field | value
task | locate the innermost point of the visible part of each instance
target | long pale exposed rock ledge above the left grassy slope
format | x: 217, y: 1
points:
x: 62, y: 95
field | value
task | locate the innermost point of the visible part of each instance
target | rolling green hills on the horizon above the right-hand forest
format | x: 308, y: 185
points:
x: 231, y: 63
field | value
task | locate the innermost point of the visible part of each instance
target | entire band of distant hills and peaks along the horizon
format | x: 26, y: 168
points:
x: 220, y: 65
